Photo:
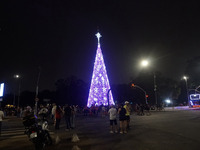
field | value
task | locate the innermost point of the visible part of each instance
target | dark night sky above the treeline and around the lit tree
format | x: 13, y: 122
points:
x: 59, y: 36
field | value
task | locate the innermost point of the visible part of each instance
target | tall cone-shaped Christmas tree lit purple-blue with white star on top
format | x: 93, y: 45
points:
x: 99, y: 92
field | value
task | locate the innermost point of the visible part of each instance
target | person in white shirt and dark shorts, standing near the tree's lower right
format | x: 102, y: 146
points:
x: 113, y: 119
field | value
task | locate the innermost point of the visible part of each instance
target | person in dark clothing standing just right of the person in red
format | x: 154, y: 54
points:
x: 67, y: 115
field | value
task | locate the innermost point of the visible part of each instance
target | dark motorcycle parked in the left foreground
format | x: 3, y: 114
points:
x: 37, y: 131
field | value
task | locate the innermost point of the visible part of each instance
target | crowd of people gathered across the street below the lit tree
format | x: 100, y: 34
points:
x: 54, y: 113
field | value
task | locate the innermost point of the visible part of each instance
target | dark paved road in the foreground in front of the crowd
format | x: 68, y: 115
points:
x: 168, y: 130
